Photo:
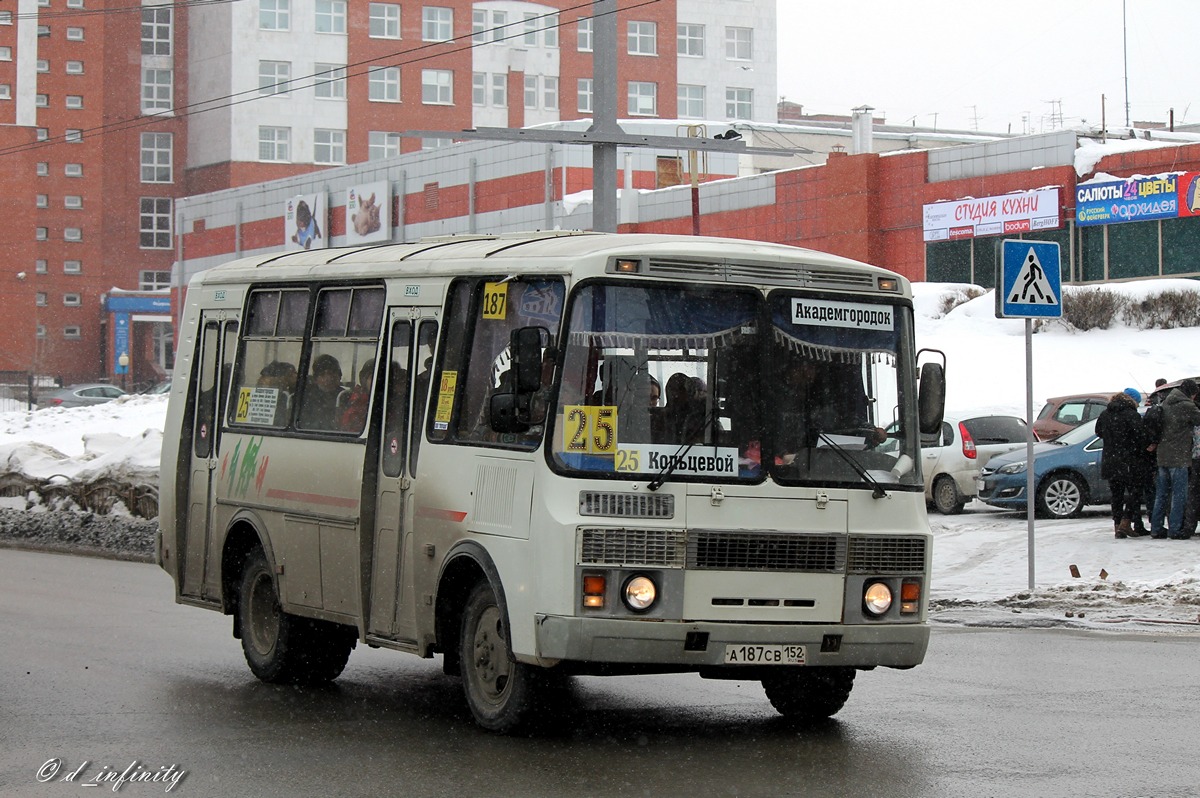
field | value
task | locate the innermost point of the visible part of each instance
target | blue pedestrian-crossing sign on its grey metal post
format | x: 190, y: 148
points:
x: 1029, y: 285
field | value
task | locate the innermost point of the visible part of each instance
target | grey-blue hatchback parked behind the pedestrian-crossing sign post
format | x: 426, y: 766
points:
x: 1066, y: 476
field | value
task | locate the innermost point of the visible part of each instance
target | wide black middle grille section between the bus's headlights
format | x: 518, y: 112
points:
x: 766, y: 551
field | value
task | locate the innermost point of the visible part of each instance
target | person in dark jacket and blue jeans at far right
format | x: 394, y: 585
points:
x: 1174, y: 457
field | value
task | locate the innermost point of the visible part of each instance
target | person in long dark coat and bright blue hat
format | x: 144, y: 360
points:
x: 1124, y: 464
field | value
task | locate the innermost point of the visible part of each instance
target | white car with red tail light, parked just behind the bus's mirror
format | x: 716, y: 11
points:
x: 952, y: 460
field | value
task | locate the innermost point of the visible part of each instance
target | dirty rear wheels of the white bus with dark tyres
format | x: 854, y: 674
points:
x: 280, y: 647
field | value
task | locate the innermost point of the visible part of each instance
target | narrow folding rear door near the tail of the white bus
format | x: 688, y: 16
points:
x: 218, y: 345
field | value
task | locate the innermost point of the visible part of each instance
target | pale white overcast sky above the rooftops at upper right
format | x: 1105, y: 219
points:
x: 993, y: 65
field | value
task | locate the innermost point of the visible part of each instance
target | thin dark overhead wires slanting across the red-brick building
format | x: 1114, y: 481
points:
x: 251, y: 95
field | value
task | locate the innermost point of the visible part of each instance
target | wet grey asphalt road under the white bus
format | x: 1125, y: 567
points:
x: 104, y: 676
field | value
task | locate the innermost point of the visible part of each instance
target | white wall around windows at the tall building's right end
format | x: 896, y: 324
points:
x: 716, y: 73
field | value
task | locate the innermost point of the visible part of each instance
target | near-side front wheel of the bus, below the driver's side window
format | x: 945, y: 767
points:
x: 500, y: 691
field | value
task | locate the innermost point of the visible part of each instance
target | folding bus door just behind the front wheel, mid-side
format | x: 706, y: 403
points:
x: 407, y: 377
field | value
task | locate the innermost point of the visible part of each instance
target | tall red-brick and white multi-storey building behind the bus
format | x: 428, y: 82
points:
x: 113, y: 112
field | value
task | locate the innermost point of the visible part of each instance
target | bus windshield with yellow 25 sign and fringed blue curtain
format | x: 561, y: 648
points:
x: 724, y: 385
